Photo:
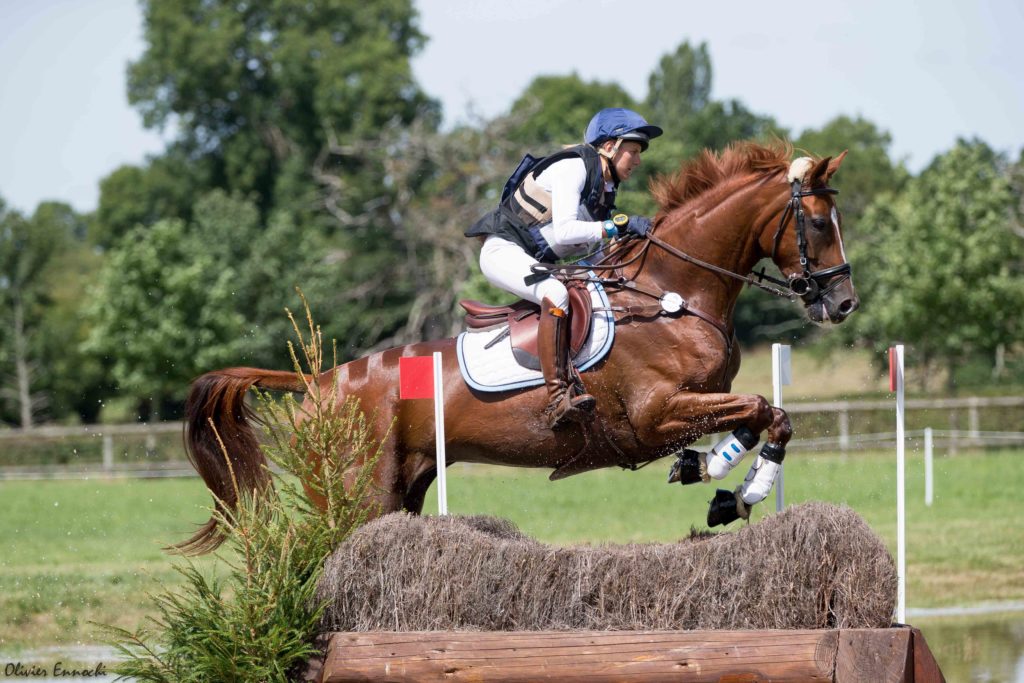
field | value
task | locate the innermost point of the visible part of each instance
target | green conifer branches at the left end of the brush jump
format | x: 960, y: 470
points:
x: 261, y: 623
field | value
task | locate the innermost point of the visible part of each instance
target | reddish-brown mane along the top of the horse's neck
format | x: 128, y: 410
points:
x: 711, y: 169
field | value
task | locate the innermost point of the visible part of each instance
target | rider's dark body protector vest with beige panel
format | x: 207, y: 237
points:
x: 526, y: 206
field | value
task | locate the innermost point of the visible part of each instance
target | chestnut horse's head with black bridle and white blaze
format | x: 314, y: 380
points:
x: 807, y: 245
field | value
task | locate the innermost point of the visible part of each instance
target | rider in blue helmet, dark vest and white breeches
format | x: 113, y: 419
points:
x: 561, y: 208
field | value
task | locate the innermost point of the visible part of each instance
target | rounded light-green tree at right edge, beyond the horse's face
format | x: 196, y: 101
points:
x: 940, y: 266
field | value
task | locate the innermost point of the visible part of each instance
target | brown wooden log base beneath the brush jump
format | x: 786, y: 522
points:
x: 897, y: 655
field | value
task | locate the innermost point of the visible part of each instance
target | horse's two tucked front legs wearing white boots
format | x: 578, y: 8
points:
x: 747, y: 416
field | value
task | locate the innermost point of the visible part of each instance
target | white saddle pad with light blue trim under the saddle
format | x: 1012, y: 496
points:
x: 495, y: 369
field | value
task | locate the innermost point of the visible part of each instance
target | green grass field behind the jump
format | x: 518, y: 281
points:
x: 74, y: 552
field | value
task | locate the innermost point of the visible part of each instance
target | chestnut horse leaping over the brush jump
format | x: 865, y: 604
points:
x: 664, y: 385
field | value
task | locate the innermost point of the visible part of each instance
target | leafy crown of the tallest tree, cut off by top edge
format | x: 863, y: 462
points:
x: 261, y: 88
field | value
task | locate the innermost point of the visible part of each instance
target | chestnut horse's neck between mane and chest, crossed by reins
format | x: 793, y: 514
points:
x: 723, y: 232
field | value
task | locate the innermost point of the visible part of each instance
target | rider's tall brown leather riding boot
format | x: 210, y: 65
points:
x: 553, y: 348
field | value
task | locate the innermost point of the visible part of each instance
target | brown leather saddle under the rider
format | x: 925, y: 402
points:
x: 523, y: 319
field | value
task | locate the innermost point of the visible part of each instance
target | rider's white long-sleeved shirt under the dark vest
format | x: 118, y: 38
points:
x: 572, y: 230
